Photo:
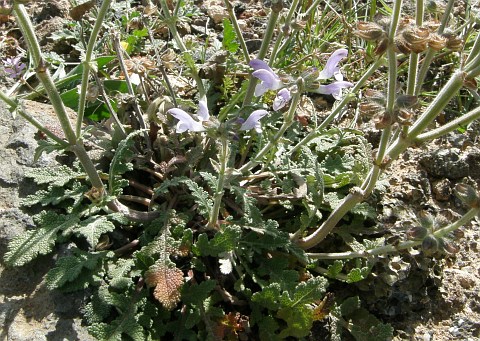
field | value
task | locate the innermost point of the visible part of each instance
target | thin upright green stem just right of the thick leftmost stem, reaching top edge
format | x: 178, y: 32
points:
x: 87, y: 64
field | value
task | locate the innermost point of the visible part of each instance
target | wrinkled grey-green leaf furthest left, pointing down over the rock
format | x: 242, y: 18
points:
x: 40, y: 241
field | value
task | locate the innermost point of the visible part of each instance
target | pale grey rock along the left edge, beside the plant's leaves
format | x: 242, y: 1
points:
x: 28, y: 310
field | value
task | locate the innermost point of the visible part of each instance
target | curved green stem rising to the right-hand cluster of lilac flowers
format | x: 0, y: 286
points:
x: 287, y: 122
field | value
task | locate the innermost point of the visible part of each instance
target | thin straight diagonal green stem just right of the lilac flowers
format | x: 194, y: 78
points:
x: 338, y: 107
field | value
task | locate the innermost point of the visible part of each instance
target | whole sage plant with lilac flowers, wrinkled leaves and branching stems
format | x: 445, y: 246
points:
x: 228, y: 205
